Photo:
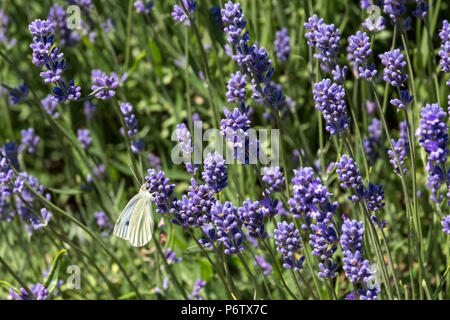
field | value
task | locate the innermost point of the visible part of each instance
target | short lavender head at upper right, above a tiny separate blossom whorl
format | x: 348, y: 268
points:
x: 393, y: 62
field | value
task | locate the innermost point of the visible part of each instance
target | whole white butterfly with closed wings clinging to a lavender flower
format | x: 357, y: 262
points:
x: 136, y: 222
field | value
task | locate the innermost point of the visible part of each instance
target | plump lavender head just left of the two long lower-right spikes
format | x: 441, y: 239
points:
x: 288, y: 241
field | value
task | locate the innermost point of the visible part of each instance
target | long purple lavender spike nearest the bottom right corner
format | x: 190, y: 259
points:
x: 356, y: 268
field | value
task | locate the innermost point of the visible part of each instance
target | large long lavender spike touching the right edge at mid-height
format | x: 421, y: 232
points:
x: 433, y: 137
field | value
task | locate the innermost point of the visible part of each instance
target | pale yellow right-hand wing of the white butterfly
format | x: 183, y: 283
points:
x: 141, y: 223
